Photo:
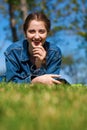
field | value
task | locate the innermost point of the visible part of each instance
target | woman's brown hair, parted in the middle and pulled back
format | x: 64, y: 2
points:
x: 39, y: 16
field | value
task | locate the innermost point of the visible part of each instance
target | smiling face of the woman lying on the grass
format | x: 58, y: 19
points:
x: 36, y: 33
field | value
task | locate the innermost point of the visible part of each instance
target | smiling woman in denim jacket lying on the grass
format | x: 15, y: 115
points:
x: 34, y: 60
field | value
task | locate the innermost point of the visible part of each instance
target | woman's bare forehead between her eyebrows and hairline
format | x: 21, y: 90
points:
x: 36, y: 24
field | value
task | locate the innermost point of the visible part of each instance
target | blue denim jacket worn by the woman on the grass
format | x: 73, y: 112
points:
x: 19, y: 69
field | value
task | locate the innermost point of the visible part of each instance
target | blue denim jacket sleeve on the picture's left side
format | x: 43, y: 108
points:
x: 13, y: 72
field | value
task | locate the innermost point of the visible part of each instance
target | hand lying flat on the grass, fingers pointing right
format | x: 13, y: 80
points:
x: 47, y: 79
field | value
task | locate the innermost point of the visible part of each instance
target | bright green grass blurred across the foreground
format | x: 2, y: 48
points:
x: 39, y: 107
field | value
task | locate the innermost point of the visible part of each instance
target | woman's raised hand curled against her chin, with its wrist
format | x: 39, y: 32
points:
x: 39, y: 53
